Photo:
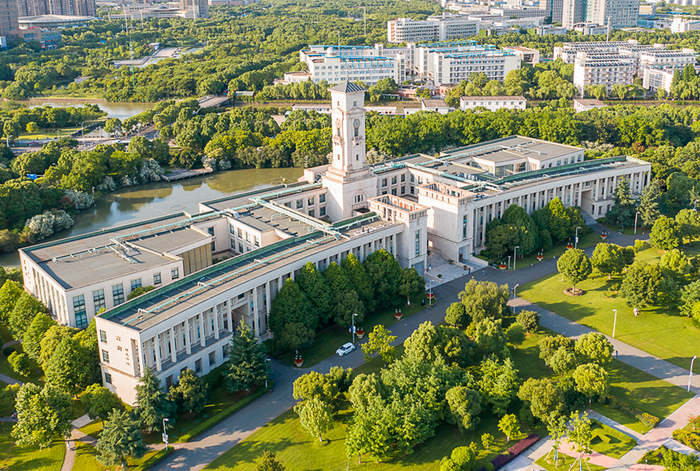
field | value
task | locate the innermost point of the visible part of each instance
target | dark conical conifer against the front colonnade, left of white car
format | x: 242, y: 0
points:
x: 247, y: 367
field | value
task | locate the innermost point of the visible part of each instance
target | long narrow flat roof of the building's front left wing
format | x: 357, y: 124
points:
x: 160, y: 304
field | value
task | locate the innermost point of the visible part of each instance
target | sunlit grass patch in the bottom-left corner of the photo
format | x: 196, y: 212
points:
x: 29, y: 458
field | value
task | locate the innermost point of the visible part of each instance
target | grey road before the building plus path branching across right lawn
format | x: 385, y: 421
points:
x: 196, y: 454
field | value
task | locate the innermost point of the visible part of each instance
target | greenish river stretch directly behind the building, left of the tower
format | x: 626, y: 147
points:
x: 161, y: 198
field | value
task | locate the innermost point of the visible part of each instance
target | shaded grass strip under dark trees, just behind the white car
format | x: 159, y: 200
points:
x: 330, y: 338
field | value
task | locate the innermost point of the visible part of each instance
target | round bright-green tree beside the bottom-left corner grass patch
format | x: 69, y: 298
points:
x: 42, y: 415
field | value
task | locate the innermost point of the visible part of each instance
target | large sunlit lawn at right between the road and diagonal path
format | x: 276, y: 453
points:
x: 659, y: 331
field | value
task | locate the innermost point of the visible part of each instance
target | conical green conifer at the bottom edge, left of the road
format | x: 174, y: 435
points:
x: 120, y: 439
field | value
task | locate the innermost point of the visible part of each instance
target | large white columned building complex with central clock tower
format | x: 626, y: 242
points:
x: 405, y: 206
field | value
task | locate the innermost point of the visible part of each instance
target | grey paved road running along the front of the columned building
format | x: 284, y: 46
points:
x: 196, y: 454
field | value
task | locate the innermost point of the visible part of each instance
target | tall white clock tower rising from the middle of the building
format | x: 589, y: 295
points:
x: 349, y: 181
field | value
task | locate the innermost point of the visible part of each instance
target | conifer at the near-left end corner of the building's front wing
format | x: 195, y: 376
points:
x: 152, y: 404
